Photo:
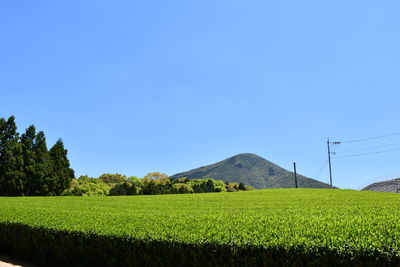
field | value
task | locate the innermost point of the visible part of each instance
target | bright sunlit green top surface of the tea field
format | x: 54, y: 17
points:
x: 343, y: 221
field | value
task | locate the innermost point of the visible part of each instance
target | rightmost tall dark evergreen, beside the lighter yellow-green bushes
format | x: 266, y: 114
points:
x: 62, y: 173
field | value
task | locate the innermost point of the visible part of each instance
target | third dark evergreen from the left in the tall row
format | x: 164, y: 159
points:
x: 42, y: 180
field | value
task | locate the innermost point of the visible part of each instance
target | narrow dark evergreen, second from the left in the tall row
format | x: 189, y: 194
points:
x: 27, y: 141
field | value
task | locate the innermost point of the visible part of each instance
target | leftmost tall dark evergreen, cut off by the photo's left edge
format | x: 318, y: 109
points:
x: 11, y: 161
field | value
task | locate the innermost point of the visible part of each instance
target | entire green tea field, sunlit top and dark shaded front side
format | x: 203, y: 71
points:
x: 259, y: 227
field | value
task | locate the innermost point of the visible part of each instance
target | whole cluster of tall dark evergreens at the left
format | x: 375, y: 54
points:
x: 27, y: 167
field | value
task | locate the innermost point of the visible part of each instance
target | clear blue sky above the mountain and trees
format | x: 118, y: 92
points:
x: 140, y: 86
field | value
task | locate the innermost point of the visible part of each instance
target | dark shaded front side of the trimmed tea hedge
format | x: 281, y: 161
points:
x: 50, y: 247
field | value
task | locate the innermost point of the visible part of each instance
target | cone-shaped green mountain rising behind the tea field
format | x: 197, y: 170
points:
x: 253, y: 170
